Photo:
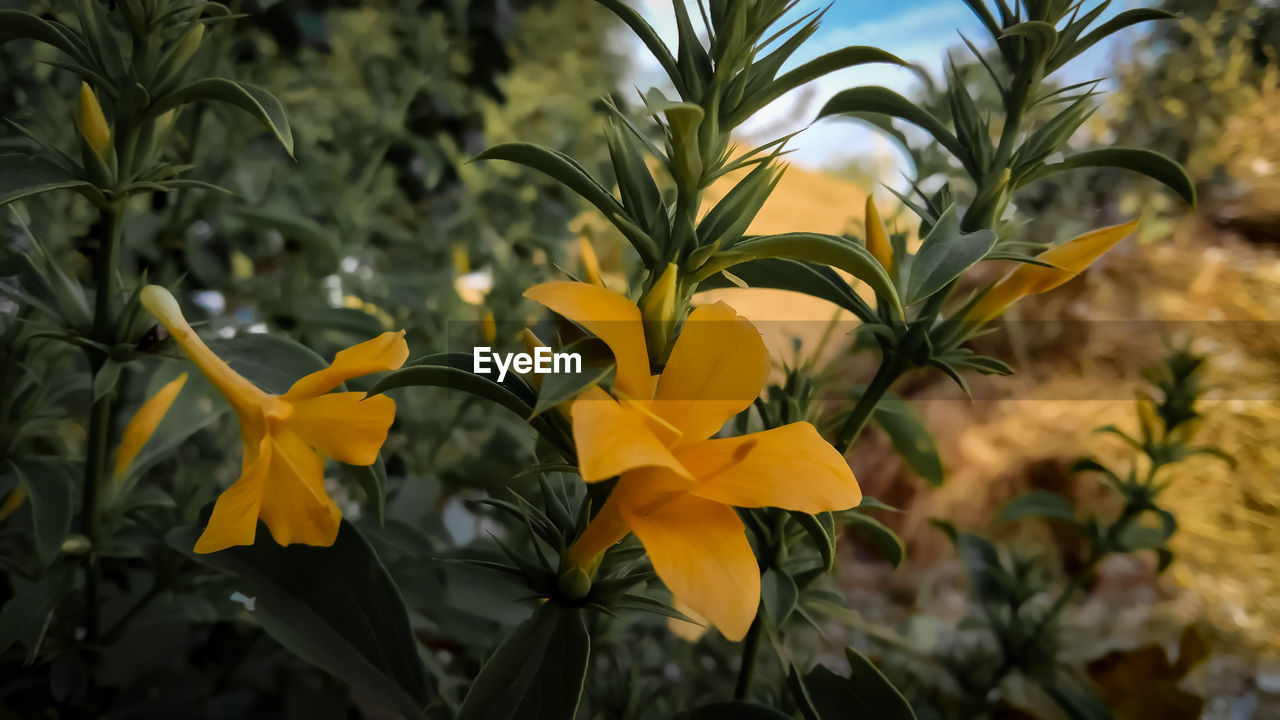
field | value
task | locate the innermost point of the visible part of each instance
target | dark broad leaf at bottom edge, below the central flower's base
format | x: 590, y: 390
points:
x: 538, y: 673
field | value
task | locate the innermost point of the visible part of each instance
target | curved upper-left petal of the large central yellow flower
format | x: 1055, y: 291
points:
x: 610, y: 317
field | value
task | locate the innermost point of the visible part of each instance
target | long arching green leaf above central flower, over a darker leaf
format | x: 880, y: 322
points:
x: 836, y: 252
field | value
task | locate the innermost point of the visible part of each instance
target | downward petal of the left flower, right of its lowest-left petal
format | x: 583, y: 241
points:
x: 295, y: 505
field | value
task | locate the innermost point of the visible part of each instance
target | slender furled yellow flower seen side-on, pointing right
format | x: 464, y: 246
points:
x: 1068, y: 259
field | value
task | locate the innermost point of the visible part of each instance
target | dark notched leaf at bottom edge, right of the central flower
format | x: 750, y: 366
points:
x: 866, y: 695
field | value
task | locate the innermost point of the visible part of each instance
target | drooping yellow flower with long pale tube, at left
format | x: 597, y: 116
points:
x: 289, y: 436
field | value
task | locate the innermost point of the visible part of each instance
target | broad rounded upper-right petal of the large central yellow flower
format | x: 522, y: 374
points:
x: 716, y: 371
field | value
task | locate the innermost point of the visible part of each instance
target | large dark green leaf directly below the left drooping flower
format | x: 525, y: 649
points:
x: 336, y: 608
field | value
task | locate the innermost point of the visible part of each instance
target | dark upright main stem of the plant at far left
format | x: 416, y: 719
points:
x: 100, y: 412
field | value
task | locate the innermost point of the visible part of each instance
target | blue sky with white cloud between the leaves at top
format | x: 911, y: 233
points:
x: 918, y: 31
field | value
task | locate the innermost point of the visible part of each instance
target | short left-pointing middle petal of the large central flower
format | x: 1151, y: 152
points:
x: 611, y: 439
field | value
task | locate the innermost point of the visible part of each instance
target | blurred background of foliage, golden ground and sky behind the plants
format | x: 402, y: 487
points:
x: 382, y: 222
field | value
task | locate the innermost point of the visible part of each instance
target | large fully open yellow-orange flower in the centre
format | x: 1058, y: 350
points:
x: 678, y: 489
